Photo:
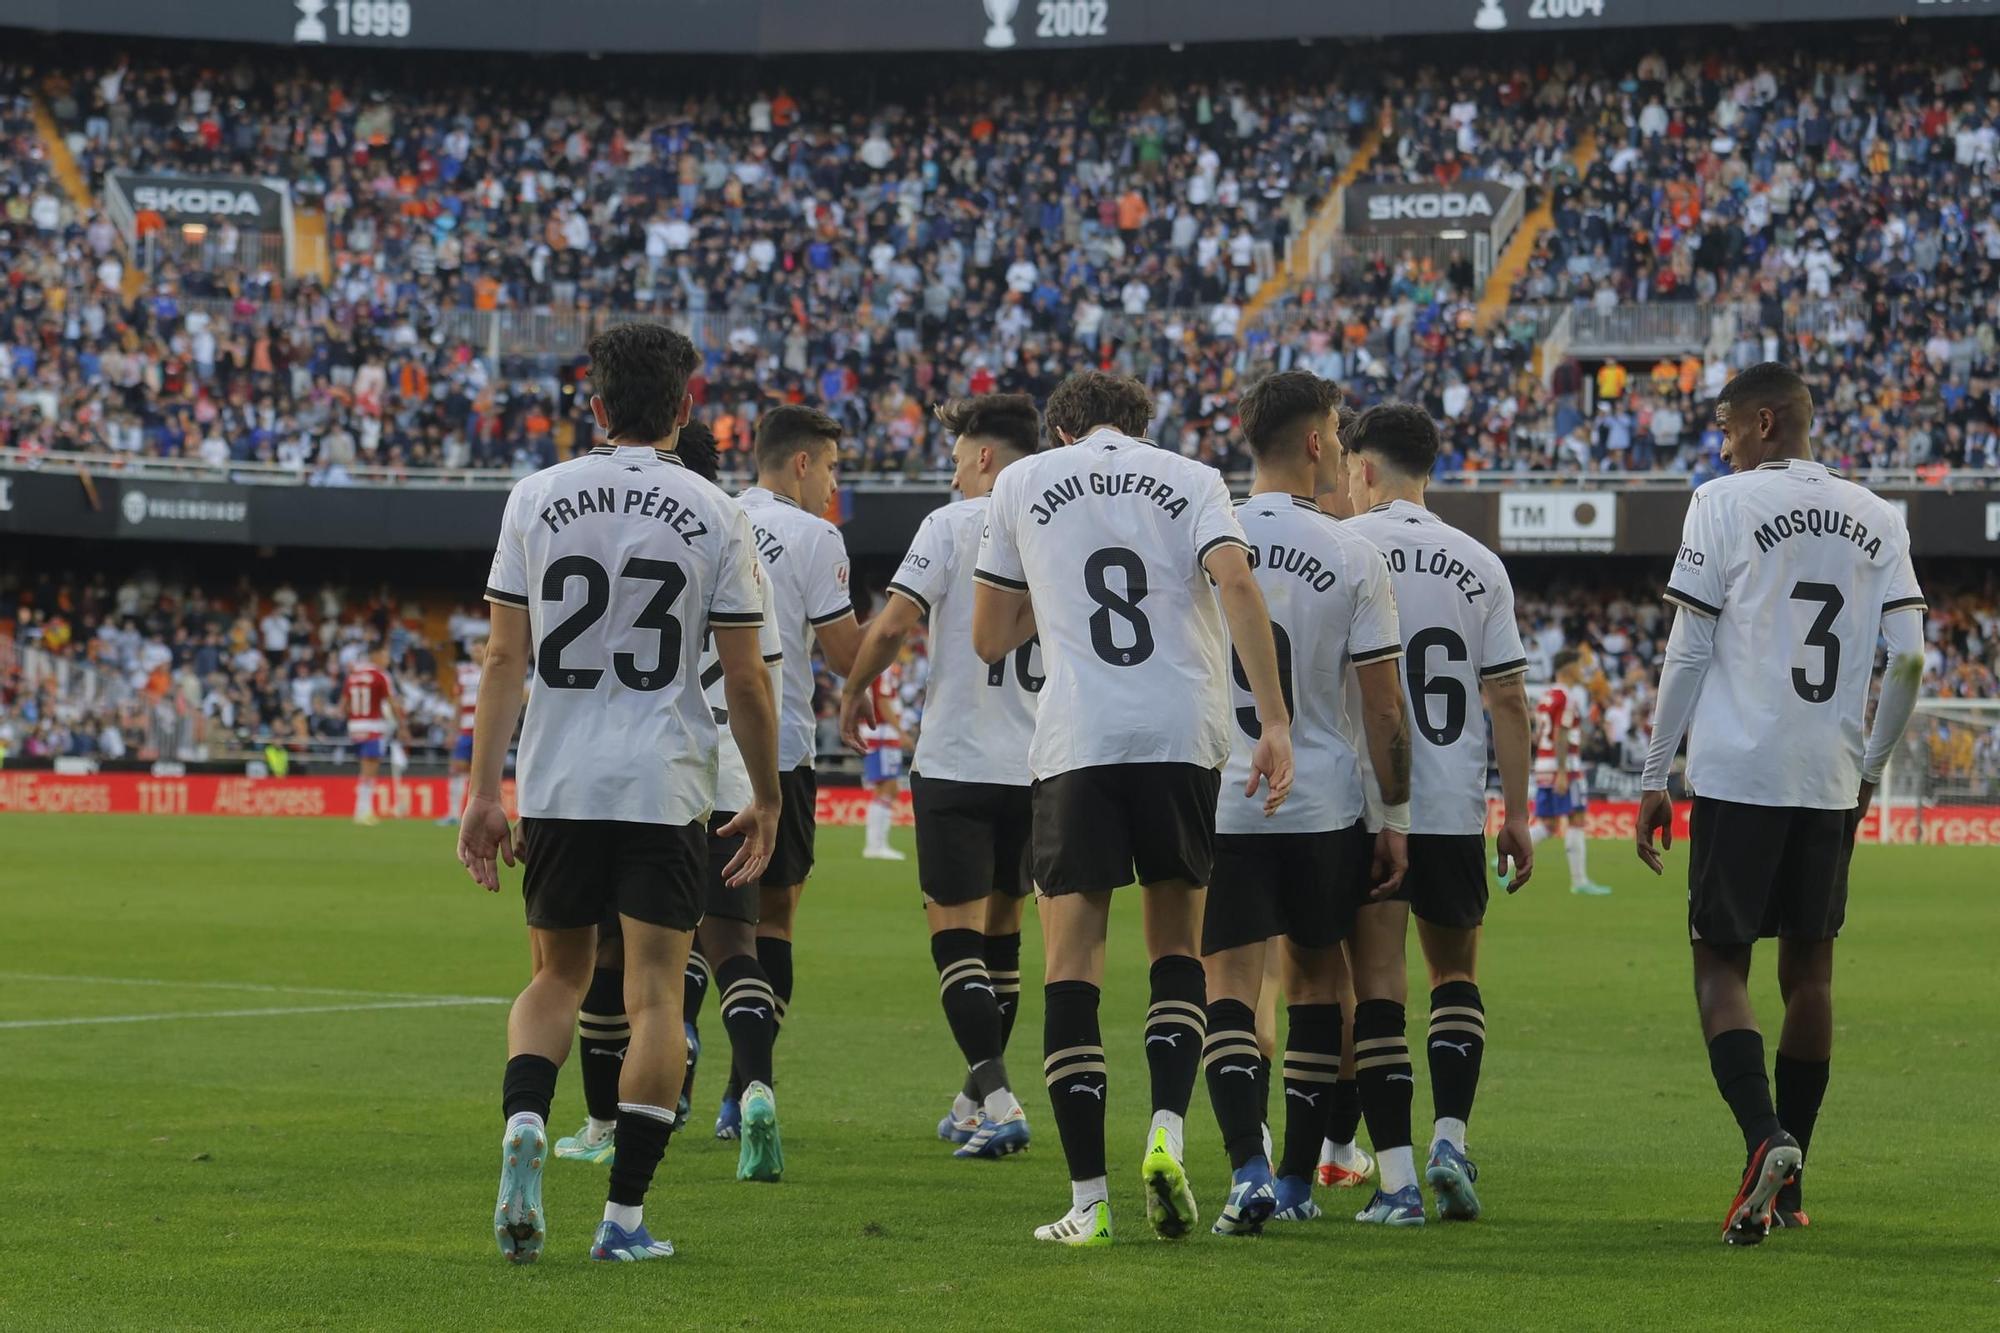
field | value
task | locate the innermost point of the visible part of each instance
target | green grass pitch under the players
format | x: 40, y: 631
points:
x: 335, y: 1168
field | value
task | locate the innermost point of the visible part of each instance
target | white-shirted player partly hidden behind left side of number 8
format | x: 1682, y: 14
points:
x: 971, y: 778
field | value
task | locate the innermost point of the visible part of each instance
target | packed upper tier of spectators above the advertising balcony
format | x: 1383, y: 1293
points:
x: 881, y: 239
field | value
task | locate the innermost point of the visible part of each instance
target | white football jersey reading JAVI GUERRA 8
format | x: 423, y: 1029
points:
x: 1107, y: 537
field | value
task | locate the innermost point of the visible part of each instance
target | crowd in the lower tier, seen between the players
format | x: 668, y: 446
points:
x: 163, y: 668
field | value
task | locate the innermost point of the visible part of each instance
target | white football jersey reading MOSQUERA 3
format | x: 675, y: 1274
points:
x: 1797, y: 567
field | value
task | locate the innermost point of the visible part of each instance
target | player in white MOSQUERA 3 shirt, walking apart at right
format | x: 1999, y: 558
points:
x: 1785, y: 579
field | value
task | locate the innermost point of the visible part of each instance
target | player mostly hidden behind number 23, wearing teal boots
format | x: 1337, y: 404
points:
x: 725, y: 944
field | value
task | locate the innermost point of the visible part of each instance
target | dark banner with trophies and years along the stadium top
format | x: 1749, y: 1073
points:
x: 777, y: 27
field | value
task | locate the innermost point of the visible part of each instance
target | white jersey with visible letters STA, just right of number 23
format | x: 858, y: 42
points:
x: 809, y: 565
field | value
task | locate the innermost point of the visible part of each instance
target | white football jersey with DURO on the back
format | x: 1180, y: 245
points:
x: 1329, y: 605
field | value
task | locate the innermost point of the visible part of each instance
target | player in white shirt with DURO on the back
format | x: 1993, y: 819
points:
x: 1303, y: 872
